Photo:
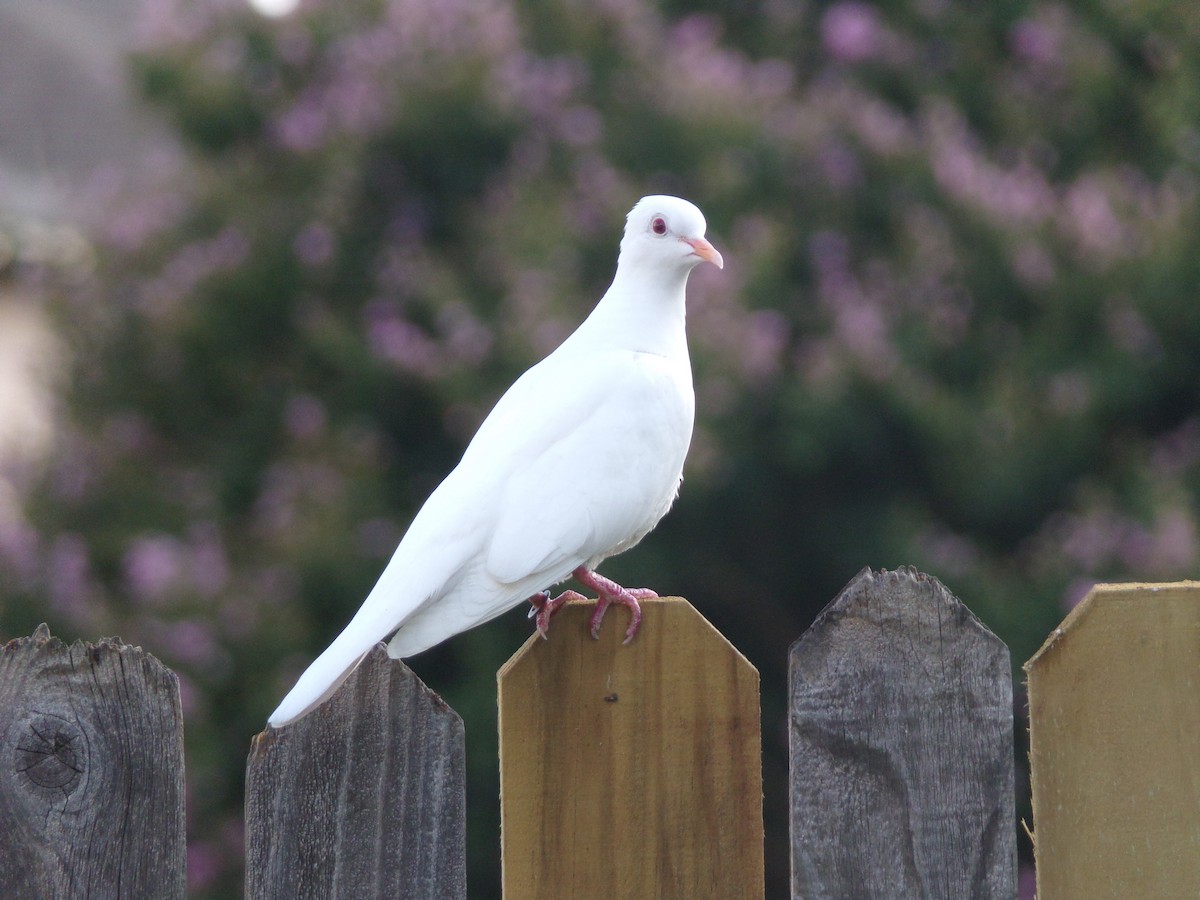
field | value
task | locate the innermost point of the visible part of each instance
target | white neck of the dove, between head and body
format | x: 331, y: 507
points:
x: 644, y: 310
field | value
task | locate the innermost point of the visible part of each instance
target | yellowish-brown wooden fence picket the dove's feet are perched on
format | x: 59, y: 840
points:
x: 631, y: 771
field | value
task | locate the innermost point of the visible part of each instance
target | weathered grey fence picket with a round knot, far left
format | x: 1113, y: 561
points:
x: 92, y: 772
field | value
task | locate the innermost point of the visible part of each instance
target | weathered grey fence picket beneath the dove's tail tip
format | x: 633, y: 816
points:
x: 365, y: 797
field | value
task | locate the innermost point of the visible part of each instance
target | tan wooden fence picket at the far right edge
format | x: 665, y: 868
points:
x: 1115, y: 746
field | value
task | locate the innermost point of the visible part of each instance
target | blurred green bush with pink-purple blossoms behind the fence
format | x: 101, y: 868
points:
x: 957, y: 329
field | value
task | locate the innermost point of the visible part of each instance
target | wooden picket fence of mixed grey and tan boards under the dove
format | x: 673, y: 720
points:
x: 634, y: 772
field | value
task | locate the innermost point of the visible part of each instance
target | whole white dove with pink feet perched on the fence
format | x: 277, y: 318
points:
x: 578, y: 461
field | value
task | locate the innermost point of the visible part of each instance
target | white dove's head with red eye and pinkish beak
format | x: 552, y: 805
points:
x: 668, y: 233
